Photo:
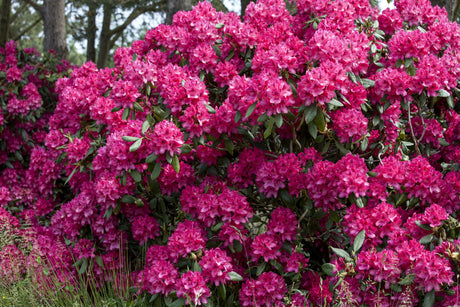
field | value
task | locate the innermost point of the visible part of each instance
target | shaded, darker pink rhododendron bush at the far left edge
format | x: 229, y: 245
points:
x: 28, y: 99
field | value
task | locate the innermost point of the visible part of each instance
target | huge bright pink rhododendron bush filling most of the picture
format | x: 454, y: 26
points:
x: 293, y: 158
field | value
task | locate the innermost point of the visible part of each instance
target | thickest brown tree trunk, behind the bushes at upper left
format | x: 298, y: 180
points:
x: 54, y: 26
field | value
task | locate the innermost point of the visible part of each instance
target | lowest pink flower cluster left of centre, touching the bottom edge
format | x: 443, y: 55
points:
x: 193, y: 287
